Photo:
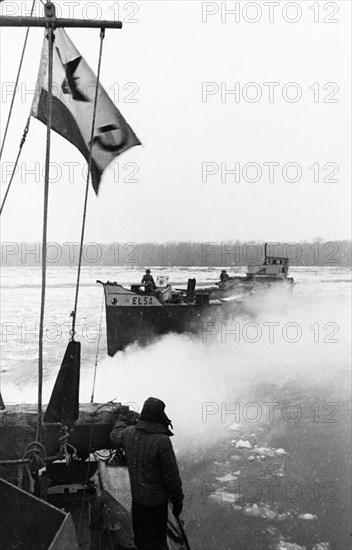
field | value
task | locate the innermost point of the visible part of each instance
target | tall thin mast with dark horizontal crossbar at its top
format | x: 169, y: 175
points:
x: 50, y: 22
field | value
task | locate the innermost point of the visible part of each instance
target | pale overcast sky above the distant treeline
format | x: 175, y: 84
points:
x: 244, y: 119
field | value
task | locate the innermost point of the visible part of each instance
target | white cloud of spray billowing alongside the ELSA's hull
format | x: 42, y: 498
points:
x: 299, y: 339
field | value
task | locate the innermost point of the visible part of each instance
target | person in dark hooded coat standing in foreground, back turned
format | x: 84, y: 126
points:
x: 153, y: 471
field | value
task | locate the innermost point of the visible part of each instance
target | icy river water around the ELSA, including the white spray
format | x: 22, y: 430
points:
x: 260, y: 405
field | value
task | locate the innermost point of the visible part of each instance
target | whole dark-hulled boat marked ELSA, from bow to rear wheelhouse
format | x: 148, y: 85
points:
x: 135, y: 315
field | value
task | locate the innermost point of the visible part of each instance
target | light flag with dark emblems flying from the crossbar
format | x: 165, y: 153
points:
x: 74, y: 85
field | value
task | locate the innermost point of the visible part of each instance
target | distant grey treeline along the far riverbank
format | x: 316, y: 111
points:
x: 226, y: 254
